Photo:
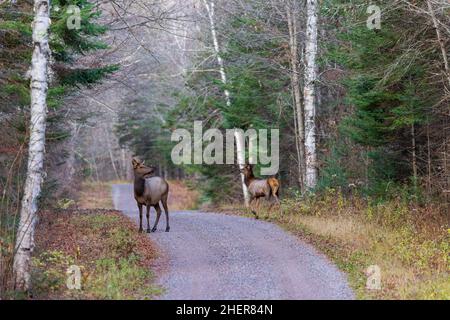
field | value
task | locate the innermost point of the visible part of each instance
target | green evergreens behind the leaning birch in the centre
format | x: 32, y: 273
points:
x: 257, y: 91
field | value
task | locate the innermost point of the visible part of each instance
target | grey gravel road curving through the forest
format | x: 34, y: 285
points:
x: 215, y: 256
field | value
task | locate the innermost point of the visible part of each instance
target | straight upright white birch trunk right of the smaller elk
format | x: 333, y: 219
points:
x: 309, y: 93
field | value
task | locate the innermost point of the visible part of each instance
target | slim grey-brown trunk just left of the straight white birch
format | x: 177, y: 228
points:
x: 296, y: 93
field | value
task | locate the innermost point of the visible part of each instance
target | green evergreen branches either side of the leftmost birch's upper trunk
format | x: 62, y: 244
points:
x: 66, y: 44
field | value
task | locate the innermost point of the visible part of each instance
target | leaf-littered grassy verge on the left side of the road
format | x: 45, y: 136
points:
x: 113, y: 258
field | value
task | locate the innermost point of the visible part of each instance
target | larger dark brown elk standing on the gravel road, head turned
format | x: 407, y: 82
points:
x: 149, y: 190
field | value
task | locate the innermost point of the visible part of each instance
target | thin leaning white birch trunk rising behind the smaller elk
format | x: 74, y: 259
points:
x: 239, y: 146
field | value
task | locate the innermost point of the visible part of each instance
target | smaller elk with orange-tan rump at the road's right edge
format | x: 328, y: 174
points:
x: 258, y: 188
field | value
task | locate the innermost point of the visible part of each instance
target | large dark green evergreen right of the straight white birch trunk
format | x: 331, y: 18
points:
x: 387, y: 90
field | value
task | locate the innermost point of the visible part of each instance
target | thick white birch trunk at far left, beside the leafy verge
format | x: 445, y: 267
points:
x: 35, y: 174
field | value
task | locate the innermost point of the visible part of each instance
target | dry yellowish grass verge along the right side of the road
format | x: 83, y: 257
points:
x: 410, y: 244
